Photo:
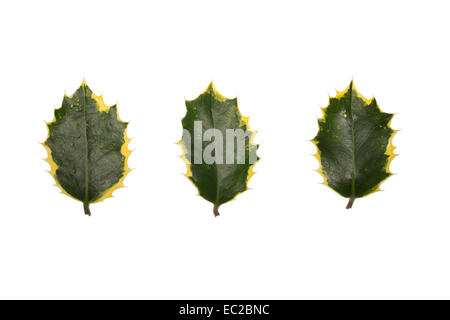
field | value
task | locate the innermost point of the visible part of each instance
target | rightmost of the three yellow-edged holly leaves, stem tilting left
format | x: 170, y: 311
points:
x: 354, y: 145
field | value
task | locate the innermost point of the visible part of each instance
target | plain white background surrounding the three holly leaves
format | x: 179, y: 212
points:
x: 287, y: 237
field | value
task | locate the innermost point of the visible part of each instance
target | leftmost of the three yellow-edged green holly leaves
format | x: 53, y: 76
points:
x: 87, y: 148
